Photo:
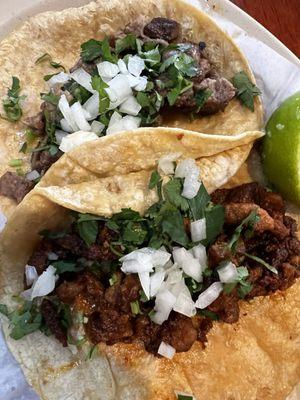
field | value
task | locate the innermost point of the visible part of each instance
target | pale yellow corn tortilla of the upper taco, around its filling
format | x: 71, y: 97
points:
x: 61, y: 33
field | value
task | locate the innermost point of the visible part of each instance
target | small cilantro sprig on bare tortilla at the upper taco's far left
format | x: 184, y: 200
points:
x: 11, y: 104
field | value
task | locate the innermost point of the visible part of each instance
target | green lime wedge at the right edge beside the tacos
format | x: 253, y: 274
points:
x: 281, y: 149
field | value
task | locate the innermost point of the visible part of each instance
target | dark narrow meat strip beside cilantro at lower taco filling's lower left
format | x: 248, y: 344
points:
x: 52, y: 321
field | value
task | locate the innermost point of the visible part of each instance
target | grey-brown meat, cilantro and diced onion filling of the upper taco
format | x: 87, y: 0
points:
x: 144, y: 75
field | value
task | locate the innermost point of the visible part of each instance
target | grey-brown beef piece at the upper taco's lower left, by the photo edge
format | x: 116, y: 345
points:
x: 14, y: 186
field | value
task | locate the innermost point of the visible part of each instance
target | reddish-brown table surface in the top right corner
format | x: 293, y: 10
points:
x: 281, y: 17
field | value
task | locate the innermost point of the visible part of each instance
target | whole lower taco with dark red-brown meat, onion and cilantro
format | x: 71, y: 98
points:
x: 159, y: 289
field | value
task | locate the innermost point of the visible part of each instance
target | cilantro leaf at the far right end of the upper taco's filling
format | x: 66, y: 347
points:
x: 246, y: 90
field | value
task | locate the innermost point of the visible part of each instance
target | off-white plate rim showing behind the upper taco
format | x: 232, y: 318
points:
x: 13, y: 12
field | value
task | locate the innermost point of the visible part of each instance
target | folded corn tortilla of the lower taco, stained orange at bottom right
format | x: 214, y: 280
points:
x: 257, y: 358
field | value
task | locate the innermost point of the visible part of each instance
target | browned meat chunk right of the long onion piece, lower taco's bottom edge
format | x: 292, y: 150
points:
x: 227, y: 307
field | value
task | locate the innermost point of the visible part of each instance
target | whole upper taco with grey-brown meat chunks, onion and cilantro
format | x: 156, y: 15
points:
x: 112, y: 66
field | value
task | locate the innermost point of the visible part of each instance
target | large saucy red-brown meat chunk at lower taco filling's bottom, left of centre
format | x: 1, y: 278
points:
x: 109, y: 326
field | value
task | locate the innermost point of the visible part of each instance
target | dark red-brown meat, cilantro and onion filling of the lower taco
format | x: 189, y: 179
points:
x: 163, y: 278
